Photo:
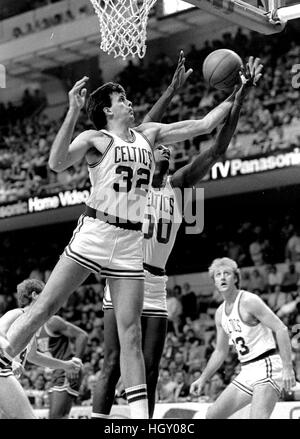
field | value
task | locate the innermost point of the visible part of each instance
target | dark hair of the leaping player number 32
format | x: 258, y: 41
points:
x: 98, y: 100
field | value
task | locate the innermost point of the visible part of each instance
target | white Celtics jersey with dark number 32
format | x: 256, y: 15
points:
x: 121, y: 178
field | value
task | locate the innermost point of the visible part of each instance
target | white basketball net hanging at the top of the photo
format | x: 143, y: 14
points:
x: 123, y: 25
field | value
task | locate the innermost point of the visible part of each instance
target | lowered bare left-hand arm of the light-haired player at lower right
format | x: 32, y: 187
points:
x: 217, y: 358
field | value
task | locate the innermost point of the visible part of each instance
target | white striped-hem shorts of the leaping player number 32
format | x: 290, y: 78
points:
x: 104, y: 248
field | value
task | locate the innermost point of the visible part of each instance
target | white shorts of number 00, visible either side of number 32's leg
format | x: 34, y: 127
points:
x: 155, y: 296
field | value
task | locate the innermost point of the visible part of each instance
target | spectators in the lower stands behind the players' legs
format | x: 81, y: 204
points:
x: 189, y: 343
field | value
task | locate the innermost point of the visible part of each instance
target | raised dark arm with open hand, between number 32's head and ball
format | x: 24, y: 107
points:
x: 179, y: 78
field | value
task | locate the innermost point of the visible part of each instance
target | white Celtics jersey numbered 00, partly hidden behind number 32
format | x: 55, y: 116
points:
x: 163, y: 216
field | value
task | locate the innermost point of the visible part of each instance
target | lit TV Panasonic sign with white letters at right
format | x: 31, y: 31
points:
x: 234, y: 167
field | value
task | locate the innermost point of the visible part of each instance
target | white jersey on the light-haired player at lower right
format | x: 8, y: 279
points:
x: 250, y: 341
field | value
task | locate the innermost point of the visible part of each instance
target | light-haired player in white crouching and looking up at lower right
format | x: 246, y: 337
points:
x: 246, y: 321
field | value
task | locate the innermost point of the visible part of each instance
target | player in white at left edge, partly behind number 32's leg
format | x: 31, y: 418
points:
x: 13, y: 400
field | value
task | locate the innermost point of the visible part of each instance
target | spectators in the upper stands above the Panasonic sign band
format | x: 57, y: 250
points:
x: 269, y: 121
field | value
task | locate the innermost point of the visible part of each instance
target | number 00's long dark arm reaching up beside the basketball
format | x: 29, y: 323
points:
x: 191, y: 174
